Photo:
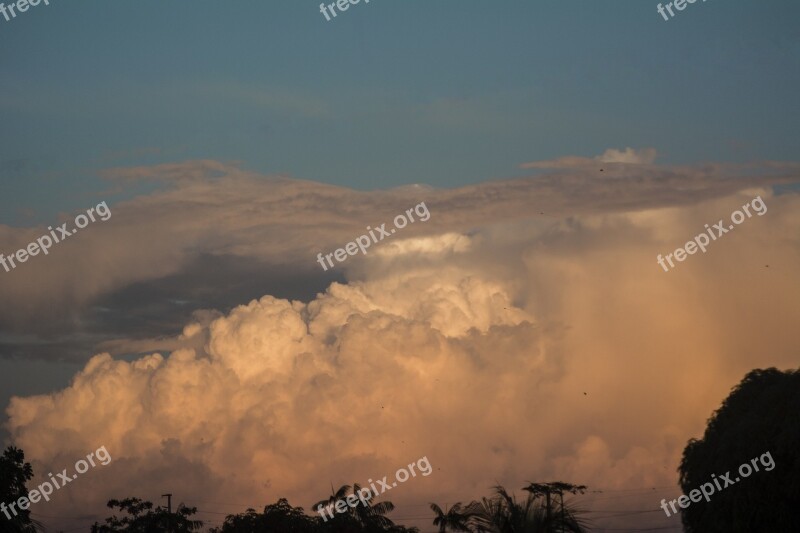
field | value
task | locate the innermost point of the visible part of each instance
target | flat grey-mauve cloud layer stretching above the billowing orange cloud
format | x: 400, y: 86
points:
x: 215, y: 235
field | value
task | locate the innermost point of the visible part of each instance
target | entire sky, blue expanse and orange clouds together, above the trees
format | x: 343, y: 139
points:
x: 523, y: 332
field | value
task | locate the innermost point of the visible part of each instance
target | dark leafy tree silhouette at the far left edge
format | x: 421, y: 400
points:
x: 14, y: 474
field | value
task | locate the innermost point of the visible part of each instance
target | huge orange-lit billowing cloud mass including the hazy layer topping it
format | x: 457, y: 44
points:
x: 486, y: 324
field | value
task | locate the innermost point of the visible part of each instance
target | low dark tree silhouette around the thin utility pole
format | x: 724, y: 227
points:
x: 142, y: 518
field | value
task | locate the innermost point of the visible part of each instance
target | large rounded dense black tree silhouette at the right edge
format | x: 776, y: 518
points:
x: 760, y: 416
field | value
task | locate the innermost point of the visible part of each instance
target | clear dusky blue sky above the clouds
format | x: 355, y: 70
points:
x: 388, y: 93
